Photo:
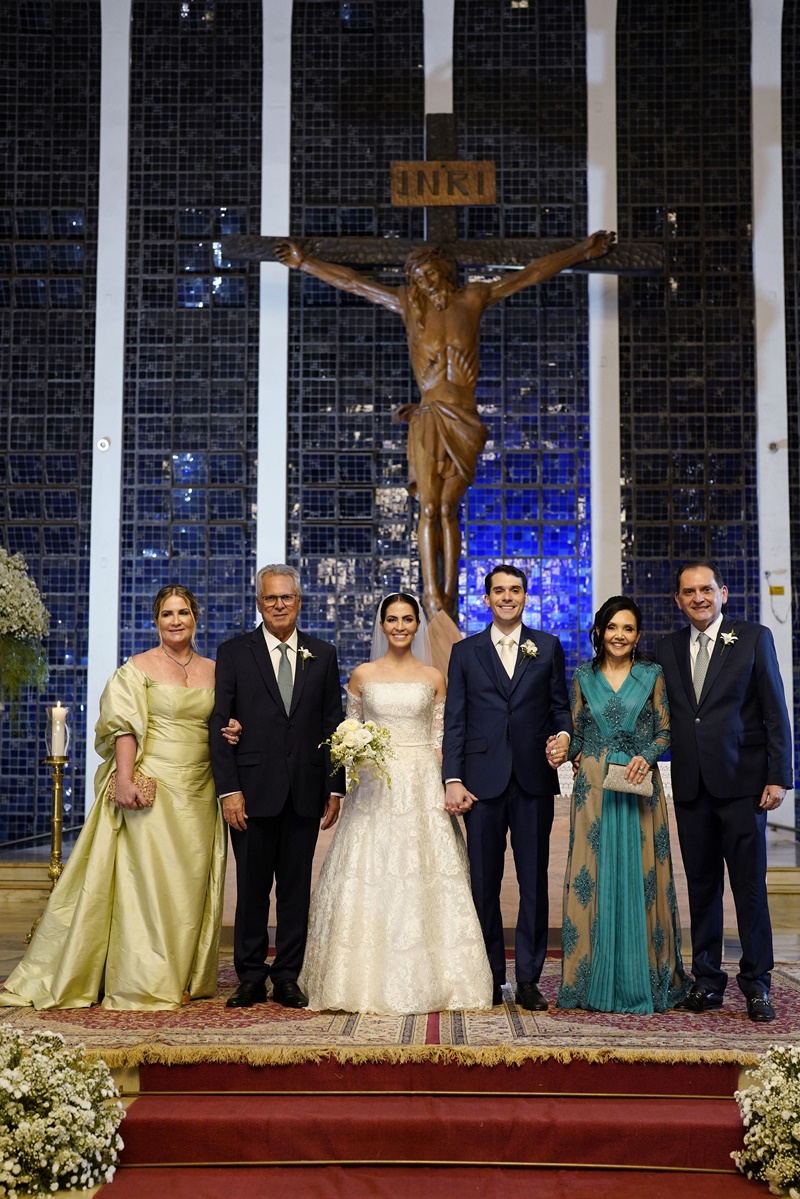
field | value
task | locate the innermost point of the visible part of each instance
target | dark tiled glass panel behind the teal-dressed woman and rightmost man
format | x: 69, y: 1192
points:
x: 687, y: 344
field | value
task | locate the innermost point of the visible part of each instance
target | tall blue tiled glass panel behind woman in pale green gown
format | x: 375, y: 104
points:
x: 191, y: 358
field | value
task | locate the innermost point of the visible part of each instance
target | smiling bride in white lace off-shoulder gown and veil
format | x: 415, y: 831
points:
x: 393, y: 929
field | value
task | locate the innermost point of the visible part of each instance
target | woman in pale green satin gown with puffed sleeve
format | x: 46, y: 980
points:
x: 135, y: 919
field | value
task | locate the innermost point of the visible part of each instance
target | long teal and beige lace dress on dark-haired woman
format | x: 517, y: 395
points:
x: 621, y: 932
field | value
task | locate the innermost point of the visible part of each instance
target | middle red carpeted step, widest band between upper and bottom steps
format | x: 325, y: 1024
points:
x: 687, y: 1134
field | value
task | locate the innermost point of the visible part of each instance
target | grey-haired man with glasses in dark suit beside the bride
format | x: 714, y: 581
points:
x: 285, y: 689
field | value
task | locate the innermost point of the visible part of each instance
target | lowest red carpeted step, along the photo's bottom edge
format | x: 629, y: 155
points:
x: 419, y: 1183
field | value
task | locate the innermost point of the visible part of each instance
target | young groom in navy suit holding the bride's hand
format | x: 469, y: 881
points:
x: 507, y: 730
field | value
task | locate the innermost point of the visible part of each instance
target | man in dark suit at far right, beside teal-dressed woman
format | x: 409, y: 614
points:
x: 731, y: 766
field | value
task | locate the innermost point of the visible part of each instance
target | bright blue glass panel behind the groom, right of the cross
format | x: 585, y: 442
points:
x: 521, y: 101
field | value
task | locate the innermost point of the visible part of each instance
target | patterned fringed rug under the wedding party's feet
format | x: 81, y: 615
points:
x: 207, y: 1031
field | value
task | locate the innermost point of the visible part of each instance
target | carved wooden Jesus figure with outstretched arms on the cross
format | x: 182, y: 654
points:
x: 446, y: 433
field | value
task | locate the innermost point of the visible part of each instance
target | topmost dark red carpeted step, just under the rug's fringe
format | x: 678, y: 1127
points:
x: 543, y: 1075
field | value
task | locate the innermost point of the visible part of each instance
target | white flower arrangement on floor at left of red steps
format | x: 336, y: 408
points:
x: 58, y: 1120
